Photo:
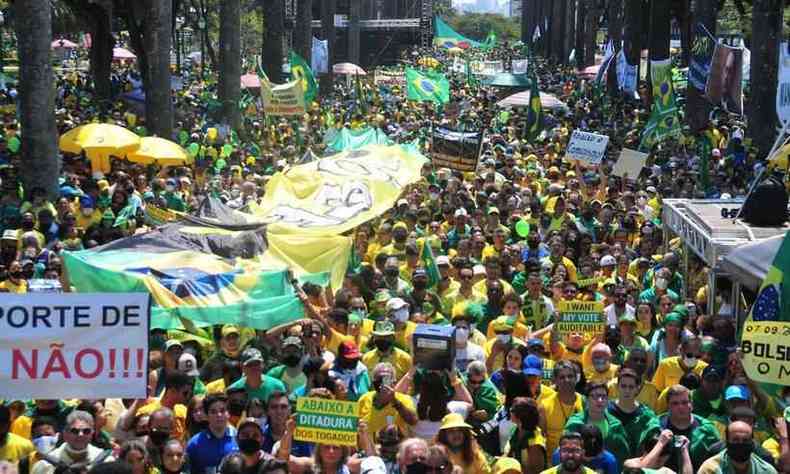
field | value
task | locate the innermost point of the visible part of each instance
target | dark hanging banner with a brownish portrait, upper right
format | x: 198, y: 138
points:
x: 724, y: 83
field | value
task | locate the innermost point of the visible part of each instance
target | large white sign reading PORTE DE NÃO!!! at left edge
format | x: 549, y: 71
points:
x: 74, y: 345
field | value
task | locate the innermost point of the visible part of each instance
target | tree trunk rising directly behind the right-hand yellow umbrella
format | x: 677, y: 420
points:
x: 157, y: 39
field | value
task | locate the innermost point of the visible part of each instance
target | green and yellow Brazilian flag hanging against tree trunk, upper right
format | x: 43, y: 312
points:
x: 664, y: 121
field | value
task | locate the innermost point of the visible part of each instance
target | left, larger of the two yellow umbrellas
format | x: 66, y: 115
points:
x: 99, y: 141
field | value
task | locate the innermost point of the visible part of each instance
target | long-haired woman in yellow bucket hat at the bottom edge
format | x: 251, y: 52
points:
x: 456, y: 435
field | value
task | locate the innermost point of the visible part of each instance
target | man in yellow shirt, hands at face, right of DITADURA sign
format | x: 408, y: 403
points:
x: 383, y: 406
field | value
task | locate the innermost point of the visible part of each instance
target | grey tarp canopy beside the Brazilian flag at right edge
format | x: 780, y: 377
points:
x: 749, y: 263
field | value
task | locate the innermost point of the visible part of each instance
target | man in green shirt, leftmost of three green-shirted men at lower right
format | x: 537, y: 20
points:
x: 614, y: 434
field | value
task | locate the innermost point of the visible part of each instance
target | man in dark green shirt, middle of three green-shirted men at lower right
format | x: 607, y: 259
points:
x: 638, y: 420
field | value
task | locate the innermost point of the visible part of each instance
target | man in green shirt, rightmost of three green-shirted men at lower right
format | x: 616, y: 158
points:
x: 701, y: 433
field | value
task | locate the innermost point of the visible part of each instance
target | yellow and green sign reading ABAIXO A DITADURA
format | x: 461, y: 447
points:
x: 320, y: 420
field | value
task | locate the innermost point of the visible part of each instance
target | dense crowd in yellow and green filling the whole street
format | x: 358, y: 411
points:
x: 661, y: 389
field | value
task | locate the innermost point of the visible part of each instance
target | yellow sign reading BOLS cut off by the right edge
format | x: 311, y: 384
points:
x: 766, y: 351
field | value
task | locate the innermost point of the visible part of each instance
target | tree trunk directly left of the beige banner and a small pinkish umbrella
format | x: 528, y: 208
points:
x: 230, y: 61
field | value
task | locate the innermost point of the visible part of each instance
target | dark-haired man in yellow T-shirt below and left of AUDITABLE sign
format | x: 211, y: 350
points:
x: 558, y: 408
